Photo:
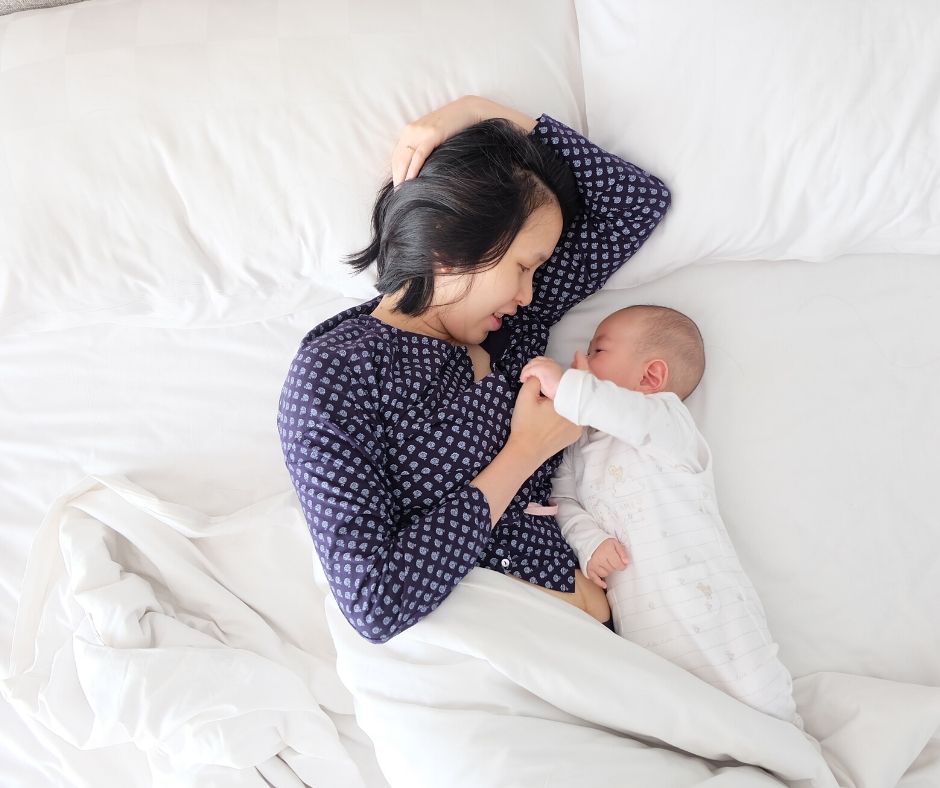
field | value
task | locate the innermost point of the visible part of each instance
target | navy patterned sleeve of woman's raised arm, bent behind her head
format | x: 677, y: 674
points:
x: 621, y: 205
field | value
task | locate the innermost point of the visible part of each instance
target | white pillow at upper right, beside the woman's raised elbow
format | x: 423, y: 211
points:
x: 786, y: 130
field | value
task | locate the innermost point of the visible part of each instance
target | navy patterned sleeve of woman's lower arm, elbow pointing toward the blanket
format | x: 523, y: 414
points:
x: 387, y: 569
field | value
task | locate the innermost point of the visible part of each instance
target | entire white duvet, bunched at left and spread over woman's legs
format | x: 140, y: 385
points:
x: 202, y: 640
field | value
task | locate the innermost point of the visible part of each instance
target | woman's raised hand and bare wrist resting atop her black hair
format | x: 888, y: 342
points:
x: 422, y: 136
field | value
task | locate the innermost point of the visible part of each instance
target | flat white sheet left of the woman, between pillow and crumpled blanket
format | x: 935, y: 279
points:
x: 188, y: 414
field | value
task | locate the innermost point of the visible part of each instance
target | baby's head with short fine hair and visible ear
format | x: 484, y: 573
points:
x: 648, y: 349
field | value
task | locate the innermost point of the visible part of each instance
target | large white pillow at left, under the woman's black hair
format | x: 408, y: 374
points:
x: 189, y: 162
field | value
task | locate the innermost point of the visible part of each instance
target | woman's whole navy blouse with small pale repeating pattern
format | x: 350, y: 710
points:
x: 383, y: 429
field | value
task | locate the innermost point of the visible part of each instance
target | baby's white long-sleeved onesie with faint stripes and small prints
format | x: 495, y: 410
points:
x: 642, y: 474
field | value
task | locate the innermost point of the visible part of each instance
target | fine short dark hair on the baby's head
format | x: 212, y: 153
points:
x: 675, y: 336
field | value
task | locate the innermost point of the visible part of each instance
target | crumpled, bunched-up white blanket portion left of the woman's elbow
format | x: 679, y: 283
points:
x: 200, y: 639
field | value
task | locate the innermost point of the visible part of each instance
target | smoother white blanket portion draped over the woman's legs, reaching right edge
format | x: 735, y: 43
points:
x: 506, y: 686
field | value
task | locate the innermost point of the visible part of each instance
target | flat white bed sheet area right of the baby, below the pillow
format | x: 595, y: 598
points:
x: 819, y: 402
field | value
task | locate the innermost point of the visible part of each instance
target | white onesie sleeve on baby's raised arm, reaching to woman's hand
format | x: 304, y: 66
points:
x: 659, y: 423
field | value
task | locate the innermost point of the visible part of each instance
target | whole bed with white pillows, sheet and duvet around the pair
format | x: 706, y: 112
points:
x: 178, y: 182
